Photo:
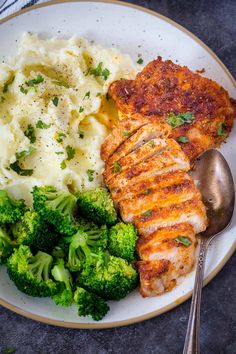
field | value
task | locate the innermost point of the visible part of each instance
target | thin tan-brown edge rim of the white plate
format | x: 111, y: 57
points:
x: 180, y: 300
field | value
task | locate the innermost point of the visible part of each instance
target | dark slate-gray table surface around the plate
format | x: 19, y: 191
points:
x: 213, y: 21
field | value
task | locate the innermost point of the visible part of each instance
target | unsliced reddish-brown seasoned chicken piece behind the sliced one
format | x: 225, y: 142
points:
x: 163, y: 88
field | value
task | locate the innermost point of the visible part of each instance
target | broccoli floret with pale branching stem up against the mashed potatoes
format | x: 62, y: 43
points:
x: 56, y: 207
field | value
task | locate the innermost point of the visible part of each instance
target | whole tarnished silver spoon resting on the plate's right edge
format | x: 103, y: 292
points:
x: 215, y: 182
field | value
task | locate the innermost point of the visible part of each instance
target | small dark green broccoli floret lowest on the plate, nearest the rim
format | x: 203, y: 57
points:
x: 90, y: 304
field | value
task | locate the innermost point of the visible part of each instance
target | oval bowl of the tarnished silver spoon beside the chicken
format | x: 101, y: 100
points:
x: 214, y: 180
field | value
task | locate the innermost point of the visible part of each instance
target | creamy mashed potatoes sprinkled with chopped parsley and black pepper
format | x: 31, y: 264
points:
x: 54, y: 114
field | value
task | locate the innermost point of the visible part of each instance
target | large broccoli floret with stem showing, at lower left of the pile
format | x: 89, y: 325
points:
x: 31, y: 274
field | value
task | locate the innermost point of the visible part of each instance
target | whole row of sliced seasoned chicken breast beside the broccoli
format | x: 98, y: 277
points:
x: 146, y: 173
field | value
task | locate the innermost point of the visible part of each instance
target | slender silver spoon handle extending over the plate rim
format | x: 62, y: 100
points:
x: 192, y: 345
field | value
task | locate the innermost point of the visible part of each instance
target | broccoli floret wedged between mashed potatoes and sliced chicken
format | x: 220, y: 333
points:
x: 97, y: 206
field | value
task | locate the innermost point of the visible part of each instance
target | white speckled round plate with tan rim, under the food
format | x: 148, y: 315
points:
x: 132, y: 30
